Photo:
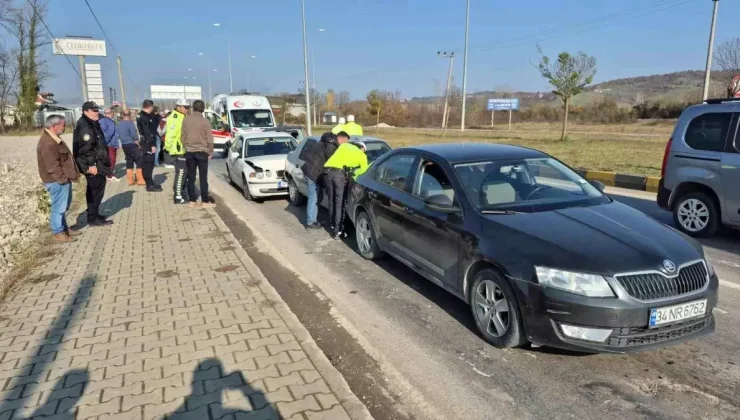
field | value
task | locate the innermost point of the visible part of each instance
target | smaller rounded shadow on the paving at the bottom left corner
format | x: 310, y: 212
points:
x: 64, y: 397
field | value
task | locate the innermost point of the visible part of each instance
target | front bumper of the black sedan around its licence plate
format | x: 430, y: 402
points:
x: 627, y: 318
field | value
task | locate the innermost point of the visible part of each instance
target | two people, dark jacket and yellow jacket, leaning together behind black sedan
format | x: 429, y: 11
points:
x: 330, y: 164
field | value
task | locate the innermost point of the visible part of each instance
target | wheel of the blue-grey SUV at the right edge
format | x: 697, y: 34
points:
x: 696, y: 215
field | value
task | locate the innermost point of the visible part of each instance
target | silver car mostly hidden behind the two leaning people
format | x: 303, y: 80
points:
x: 297, y: 187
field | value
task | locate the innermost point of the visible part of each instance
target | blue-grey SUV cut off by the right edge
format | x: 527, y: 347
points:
x: 701, y: 167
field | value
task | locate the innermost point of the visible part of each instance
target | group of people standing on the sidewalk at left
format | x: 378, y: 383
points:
x: 95, y: 143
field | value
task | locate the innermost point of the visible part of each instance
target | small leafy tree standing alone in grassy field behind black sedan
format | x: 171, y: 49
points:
x: 569, y: 75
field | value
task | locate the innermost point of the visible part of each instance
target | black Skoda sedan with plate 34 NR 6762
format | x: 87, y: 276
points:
x: 540, y: 254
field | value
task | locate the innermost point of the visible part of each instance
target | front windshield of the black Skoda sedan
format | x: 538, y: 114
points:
x: 526, y: 185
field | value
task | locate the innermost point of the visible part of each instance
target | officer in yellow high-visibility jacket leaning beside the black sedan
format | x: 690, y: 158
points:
x: 348, y: 157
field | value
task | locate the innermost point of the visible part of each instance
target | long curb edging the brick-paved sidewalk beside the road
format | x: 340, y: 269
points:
x: 334, y: 379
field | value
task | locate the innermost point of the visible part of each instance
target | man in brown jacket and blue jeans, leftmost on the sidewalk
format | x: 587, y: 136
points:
x: 57, y: 170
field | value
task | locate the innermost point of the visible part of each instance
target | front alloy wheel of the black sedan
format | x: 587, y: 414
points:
x: 492, y: 308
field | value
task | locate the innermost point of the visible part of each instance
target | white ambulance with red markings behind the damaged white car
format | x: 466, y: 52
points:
x: 231, y: 116
